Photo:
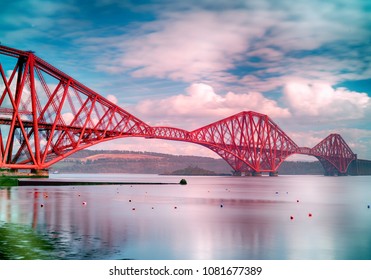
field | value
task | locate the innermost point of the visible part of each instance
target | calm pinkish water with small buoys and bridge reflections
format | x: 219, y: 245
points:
x: 210, y: 218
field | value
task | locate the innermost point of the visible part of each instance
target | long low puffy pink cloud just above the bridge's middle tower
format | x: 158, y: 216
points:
x: 201, y: 103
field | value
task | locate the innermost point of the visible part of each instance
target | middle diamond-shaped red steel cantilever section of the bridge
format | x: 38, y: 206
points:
x: 252, y: 138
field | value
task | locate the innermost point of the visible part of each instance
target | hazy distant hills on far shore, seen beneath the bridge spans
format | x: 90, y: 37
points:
x: 101, y: 161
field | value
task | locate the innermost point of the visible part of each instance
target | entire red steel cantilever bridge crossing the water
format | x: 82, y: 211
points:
x: 46, y: 115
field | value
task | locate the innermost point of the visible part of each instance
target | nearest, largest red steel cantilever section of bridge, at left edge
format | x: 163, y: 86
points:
x: 46, y: 115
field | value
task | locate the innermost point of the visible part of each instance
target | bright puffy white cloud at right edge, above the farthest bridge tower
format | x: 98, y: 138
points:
x: 325, y: 102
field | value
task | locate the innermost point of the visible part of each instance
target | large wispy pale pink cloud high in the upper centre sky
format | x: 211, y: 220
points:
x: 187, y: 47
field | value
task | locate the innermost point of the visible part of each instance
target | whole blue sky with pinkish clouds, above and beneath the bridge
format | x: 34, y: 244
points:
x: 186, y: 64
